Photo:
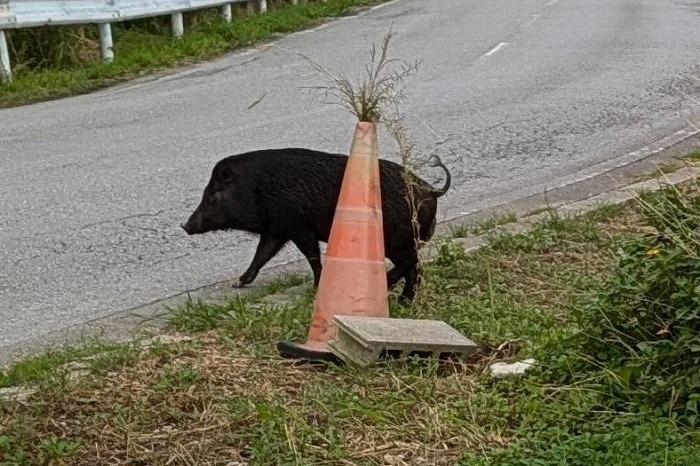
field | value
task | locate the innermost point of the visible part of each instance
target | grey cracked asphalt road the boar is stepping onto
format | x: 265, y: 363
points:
x: 515, y: 95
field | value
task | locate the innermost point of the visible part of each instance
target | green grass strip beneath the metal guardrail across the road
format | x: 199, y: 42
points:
x: 140, y: 51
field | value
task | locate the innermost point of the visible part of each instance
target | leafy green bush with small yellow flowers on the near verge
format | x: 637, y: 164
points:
x: 641, y: 334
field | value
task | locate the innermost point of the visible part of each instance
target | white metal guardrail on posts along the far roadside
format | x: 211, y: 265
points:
x: 15, y: 14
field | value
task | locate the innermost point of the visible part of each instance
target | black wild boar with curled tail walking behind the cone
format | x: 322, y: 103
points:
x: 291, y: 194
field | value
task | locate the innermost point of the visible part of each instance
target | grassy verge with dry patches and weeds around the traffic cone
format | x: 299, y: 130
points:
x: 607, y: 304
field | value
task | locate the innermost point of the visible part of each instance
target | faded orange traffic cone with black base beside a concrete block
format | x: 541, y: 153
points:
x: 353, y: 278
